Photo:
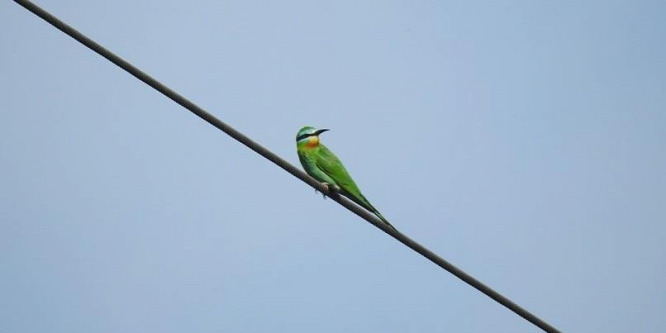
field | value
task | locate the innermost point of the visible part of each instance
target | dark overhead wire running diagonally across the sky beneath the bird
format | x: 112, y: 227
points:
x: 240, y: 137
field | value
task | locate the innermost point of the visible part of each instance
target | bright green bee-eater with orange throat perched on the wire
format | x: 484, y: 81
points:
x: 324, y: 166
